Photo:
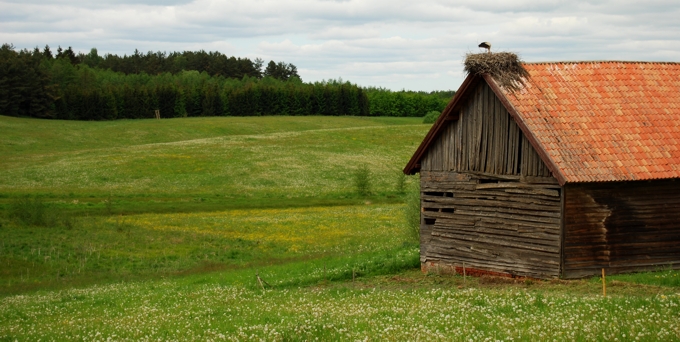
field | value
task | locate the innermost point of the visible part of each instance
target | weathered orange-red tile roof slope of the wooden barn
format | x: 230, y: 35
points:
x: 602, y: 121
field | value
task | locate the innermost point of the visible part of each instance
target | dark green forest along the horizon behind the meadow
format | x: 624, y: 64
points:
x: 76, y: 86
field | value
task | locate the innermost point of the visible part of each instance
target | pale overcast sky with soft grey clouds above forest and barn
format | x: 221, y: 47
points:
x: 395, y: 44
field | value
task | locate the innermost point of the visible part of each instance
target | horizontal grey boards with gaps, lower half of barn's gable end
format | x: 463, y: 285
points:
x: 509, y: 226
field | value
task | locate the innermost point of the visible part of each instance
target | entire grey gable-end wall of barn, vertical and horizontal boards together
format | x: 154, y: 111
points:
x: 488, y: 200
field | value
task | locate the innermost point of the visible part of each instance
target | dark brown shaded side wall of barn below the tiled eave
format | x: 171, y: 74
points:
x: 621, y: 226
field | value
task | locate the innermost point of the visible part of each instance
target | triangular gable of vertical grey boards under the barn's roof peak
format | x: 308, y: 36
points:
x: 485, y: 138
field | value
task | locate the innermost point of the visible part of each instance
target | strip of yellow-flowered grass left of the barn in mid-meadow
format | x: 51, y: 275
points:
x: 315, y: 229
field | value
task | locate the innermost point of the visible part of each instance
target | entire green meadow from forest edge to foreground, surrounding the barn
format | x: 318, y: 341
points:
x: 260, y: 228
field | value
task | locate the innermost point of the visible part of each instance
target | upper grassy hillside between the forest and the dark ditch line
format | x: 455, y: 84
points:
x: 204, y: 158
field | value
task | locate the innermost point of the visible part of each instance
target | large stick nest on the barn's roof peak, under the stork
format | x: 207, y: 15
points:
x: 505, y: 67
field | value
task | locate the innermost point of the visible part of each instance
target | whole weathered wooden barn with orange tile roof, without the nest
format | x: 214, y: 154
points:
x: 575, y: 170
